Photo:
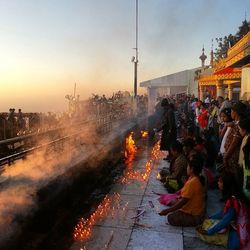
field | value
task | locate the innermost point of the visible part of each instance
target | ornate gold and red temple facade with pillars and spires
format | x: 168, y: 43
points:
x: 229, y: 77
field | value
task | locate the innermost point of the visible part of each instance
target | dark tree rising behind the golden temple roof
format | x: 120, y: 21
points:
x: 223, y: 44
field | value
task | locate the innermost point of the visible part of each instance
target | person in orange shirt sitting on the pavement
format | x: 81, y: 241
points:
x: 189, y: 210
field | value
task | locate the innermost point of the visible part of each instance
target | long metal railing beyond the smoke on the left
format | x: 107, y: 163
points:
x: 30, y: 142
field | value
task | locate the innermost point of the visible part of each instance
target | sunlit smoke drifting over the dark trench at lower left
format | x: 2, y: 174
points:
x: 26, y: 177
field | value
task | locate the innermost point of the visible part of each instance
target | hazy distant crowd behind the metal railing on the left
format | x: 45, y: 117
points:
x: 118, y: 106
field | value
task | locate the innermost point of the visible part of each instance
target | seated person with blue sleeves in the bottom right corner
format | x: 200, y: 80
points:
x: 234, y: 216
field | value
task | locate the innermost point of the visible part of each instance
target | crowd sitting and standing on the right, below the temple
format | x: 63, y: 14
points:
x: 206, y: 143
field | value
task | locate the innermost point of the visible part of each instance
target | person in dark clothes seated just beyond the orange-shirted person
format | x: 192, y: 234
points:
x: 178, y: 168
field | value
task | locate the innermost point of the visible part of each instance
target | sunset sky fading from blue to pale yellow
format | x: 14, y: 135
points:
x: 48, y: 46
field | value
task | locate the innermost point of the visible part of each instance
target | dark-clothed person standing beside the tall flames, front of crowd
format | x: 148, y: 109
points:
x: 168, y: 127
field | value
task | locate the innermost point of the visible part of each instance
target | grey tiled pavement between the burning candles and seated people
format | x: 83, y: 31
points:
x: 120, y: 231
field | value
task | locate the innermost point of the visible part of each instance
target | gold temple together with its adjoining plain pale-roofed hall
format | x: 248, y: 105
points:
x: 229, y: 77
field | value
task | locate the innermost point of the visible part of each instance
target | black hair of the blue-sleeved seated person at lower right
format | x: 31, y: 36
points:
x: 231, y: 185
